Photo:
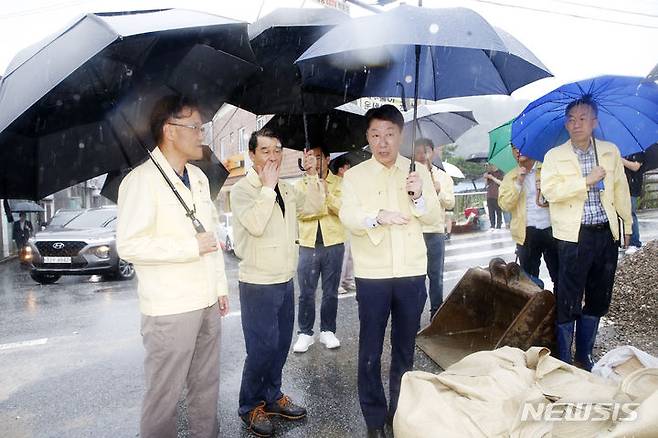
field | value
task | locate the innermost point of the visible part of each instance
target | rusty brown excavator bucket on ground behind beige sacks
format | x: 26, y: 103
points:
x: 488, y: 309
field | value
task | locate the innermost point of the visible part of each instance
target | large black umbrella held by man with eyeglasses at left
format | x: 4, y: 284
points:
x: 76, y: 105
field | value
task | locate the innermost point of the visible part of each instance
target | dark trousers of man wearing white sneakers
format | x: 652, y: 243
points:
x: 313, y: 262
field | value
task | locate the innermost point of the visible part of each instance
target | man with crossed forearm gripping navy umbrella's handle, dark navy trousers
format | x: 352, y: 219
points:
x: 384, y: 208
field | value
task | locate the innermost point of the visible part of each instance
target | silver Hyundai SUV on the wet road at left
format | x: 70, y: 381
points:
x: 86, y: 245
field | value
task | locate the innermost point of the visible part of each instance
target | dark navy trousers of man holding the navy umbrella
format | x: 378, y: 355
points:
x: 403, y: 299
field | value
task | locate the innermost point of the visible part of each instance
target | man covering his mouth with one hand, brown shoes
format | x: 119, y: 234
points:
x: 265, y: 211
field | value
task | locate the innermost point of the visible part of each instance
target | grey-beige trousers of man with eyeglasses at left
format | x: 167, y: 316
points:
x: 181, y: 349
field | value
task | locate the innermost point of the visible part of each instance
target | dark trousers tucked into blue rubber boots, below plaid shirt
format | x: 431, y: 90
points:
x: 588, y: 267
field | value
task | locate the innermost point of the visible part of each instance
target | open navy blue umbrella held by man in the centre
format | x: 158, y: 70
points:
x: 441, y: 53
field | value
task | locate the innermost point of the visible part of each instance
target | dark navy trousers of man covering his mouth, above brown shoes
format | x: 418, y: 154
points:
x: 268, y: 318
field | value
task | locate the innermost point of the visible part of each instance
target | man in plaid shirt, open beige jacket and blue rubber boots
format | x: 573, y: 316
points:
x: 584, y: 183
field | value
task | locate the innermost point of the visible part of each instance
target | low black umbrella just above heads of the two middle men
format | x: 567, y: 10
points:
x: 338, y: 130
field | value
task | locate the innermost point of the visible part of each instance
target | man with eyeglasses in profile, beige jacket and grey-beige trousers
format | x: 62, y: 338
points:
x: 182, y: 284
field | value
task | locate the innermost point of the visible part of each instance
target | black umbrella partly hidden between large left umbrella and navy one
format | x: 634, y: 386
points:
x: 277, y: 40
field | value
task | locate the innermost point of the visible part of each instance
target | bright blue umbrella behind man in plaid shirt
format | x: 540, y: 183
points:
x: 628, y: 115
